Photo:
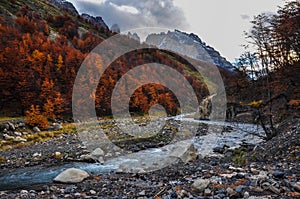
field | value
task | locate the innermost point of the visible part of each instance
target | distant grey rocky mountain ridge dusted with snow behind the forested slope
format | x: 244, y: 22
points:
x: 190, y: 45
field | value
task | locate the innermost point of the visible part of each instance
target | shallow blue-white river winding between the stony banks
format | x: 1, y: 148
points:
x: 146, y: 160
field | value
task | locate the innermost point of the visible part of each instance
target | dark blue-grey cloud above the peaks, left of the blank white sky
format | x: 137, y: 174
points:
x: 135, y: 13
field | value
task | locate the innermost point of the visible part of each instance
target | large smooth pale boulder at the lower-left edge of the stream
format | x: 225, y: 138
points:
x: 71, y: 175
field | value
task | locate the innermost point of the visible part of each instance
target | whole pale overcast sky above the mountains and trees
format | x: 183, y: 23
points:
x: 219, y: 23
